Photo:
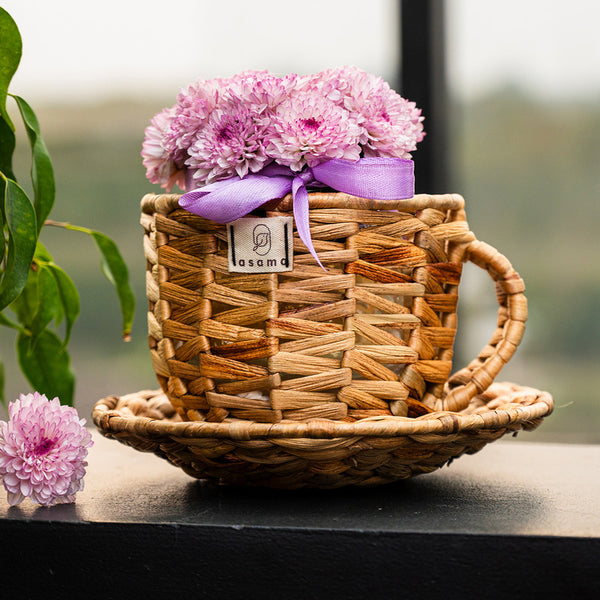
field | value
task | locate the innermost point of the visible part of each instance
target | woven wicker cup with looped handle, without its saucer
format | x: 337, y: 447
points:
x: 370, y: 337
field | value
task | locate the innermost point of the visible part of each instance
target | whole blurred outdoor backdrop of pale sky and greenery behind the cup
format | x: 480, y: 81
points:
x: 523, y: 140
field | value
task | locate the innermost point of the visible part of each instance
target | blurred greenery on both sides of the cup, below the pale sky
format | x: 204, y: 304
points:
x: 528, y: 171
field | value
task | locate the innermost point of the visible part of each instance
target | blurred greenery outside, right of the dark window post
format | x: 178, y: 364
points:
x: 529, y: 173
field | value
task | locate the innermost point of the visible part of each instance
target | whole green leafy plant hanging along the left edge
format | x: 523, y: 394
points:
x: 37, y: 291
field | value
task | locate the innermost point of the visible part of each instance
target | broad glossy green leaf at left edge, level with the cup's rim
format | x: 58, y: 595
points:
x: 22, y: 239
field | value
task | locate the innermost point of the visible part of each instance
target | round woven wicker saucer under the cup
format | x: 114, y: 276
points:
x: 318, y: 453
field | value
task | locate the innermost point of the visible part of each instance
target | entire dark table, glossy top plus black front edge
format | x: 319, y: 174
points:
x: 518, y: 518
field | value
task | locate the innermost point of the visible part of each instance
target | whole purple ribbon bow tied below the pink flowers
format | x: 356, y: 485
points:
x: 373, y: 178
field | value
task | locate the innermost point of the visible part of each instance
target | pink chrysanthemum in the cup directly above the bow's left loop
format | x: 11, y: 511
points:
x: 230, y: 143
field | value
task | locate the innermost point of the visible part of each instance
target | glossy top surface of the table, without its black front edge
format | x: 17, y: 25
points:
x: 509, y: 487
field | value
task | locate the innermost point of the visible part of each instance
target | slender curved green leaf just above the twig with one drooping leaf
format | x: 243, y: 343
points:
x: 42, y: 173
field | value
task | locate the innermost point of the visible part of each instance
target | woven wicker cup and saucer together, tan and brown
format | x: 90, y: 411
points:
x: 321, y: 378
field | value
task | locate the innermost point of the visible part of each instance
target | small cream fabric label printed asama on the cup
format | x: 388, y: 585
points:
x: 261, y: 245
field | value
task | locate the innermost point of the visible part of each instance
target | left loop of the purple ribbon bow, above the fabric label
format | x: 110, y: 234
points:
x: 231, y: 199
